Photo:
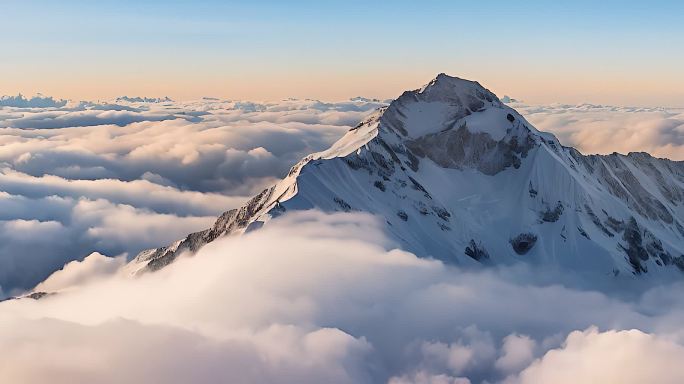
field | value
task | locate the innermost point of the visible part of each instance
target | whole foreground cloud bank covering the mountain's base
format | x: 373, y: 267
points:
x: 316, y: 297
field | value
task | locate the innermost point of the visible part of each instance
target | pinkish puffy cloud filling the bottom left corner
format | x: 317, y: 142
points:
x: 122, y: 351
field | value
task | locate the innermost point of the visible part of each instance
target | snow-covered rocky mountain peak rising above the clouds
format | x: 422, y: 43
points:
x: 461, y: 177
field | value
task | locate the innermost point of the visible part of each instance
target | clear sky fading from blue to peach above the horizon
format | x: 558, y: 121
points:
x: 539, y: 51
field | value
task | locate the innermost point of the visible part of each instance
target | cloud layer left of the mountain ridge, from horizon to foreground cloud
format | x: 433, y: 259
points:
x: 124, y: 176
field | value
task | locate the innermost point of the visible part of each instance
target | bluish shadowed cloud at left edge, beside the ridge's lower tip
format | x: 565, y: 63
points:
x: 59, y: 229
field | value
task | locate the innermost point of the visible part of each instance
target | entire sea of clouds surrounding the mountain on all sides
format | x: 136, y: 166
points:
x: 338, y: 304
